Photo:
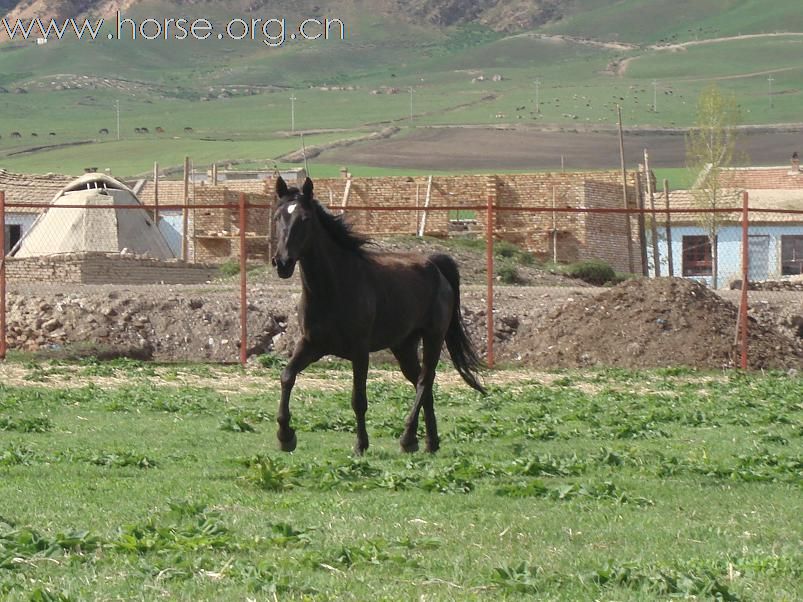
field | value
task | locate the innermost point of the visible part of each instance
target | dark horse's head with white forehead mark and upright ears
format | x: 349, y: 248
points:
x: 293, y: 219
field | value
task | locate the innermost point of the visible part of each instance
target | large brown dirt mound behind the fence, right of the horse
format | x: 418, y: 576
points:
x: 652, y: 323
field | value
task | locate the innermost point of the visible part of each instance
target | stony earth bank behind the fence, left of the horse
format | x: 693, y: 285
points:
x: 165, y: 323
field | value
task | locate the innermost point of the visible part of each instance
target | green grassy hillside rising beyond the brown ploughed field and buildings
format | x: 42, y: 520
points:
x: 237, y: 94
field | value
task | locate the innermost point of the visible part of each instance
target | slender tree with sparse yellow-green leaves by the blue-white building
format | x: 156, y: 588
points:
x: 711, y: 149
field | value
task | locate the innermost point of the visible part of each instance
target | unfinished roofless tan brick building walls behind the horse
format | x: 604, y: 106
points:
x: 579, y: 235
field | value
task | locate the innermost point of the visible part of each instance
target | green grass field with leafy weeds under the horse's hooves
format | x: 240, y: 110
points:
x: 134, y: 481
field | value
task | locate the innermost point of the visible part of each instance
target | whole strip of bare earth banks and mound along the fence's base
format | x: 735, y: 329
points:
x: 638, y: 324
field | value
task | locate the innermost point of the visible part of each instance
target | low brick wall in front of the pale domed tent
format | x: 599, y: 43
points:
x: 102, y: 268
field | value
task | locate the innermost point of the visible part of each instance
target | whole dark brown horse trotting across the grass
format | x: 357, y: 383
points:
x: 355, y: 301
